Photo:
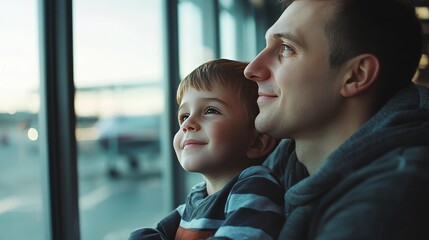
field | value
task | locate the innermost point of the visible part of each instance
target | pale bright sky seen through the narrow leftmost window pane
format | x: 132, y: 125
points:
x: 18, y: 52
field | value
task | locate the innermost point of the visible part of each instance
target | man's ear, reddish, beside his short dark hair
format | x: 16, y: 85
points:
x: 361, y: 73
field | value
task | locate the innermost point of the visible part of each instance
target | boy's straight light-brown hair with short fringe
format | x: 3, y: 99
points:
x: 228, y: 74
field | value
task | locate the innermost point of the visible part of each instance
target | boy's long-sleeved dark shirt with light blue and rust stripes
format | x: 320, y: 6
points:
x: 250, y: 206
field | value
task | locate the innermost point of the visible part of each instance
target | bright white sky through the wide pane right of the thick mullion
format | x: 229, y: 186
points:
x: 117, y: 40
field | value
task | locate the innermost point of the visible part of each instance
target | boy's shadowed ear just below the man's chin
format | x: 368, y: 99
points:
x: 261, y: 146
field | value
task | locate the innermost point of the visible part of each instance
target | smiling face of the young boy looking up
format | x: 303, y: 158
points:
x: 214, y: 132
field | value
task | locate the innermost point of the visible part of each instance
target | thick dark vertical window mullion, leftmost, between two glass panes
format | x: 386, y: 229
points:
x: 58, y: 118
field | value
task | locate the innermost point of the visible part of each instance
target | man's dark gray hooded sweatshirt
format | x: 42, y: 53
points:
x: 374, y: 186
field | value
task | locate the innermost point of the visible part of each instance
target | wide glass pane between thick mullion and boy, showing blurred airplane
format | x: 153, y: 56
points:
x: 119, y: 76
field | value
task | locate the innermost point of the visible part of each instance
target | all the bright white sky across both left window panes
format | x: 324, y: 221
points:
x: 115, y: 42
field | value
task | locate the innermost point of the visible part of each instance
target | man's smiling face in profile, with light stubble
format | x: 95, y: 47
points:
x: 298, y: 91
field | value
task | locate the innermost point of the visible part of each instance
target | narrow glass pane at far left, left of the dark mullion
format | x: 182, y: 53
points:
x: 20, y: 170
